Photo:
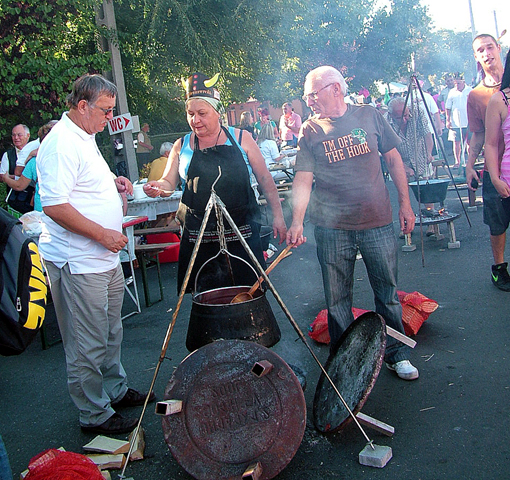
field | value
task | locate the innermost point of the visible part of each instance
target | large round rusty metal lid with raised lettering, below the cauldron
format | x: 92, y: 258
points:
x: 241, y: 404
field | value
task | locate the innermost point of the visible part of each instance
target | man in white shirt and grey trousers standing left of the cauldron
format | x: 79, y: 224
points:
x: 80, y: 244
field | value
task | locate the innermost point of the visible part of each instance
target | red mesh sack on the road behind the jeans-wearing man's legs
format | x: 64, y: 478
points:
x: 416, y: 308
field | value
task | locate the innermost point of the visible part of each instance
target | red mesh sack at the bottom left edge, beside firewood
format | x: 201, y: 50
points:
x: 55, y: 464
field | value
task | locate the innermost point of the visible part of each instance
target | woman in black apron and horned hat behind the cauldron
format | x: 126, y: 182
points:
x: 194, y: 160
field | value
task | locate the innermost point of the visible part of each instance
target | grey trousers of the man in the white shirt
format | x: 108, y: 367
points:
x: 88, y: 308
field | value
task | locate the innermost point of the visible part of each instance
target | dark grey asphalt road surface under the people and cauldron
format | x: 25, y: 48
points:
x: 453, y: 422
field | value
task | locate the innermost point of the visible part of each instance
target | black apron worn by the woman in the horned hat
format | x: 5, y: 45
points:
x: 235, y: 191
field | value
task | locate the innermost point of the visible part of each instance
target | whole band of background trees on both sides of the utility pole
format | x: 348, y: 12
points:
x: 261, y: 49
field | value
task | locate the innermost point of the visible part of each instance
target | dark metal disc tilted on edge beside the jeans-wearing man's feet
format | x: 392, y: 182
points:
x: 353, y: 366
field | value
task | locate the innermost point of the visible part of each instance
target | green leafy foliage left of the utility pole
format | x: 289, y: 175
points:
x: 46, y: 45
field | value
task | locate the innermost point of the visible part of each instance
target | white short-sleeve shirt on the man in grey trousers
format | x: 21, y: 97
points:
x: 72, y: 170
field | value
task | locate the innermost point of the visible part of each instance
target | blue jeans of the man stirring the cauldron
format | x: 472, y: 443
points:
x: 336, y: 250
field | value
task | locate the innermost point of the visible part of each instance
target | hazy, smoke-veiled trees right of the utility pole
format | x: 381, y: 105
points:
x: 262, y: 49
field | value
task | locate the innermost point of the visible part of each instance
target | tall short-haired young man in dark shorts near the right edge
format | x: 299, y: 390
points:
x: 487, y: 53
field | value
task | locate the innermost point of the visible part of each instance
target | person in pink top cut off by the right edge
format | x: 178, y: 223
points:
x: 497, y: 123
